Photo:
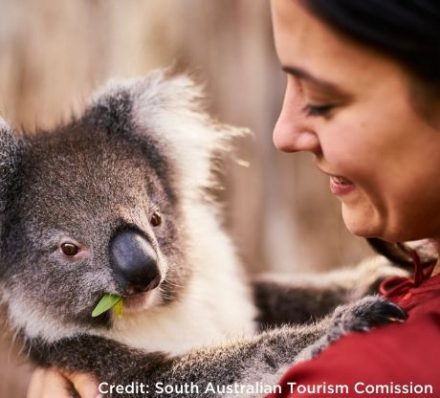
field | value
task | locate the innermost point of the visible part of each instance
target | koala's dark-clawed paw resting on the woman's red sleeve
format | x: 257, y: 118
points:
x: 360, y: 316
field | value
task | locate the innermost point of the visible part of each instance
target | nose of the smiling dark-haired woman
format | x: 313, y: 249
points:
x: 293, y: 131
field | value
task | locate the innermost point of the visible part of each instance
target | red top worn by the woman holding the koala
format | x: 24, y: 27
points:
x: 396, y: 360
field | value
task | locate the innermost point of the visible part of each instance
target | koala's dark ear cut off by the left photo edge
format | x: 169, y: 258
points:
x: 9, y: 155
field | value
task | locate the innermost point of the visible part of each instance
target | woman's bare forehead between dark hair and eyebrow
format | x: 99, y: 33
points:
x: 305, y: 43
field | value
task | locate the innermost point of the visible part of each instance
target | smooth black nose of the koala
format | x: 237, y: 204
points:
x: 134, y: 261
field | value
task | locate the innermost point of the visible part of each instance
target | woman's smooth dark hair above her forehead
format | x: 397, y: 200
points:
x: 406, y: 30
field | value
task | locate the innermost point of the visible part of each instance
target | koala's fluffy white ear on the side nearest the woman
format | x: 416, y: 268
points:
x: 169, y: 110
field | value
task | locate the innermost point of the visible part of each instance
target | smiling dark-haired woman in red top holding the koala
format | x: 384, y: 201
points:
x: 363, y: 95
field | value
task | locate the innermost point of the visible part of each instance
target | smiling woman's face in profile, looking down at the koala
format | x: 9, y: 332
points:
x: 351, y: 108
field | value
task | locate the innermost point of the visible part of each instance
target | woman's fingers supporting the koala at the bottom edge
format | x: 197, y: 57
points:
x: 50, y: 383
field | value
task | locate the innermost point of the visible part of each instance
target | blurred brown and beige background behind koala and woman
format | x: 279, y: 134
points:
x: 53, y: 54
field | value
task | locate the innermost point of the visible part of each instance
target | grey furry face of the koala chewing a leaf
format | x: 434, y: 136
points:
x: 94, y: 208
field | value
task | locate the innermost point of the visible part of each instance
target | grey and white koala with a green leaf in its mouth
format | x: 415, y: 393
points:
x: 117, y: 201
